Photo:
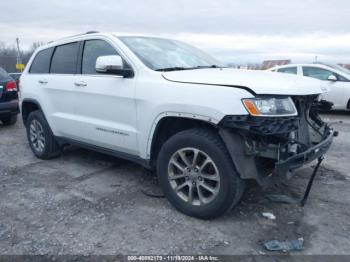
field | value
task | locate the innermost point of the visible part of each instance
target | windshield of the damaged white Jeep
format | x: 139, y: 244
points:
x: 167, y: 55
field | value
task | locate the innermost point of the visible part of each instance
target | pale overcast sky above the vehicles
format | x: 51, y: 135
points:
x: 234, y: 31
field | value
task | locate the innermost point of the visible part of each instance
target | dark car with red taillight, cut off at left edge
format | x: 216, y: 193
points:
x: 9, y: 107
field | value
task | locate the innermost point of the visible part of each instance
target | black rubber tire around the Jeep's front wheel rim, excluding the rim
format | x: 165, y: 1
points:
x: 231, y: 186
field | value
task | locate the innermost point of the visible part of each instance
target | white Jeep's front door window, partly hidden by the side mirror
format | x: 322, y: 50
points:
x: 92, y: 50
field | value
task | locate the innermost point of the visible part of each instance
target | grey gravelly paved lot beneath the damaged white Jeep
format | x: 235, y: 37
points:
x: 88, y: 203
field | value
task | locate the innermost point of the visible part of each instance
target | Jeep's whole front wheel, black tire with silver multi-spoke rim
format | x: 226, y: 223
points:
x: 197, y: 175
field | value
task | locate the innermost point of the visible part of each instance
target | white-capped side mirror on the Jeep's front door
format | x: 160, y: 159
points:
x: 112, y: 64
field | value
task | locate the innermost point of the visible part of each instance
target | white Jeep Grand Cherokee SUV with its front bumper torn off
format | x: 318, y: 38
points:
x: 204, y: 128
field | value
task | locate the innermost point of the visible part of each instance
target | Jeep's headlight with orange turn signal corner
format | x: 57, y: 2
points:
x: 270, y: 106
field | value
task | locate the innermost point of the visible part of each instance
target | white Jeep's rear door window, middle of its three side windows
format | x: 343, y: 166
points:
x: 64, y: 60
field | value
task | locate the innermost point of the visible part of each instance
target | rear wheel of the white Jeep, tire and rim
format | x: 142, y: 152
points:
x: 40, y: 137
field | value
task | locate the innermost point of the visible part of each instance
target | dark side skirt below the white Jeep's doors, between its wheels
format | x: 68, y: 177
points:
x: 143, y: 162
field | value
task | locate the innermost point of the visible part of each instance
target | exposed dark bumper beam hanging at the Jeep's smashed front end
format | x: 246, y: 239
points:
x: 298, y: 160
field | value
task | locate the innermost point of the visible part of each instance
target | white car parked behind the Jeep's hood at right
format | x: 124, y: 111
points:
x: 336, y: 77
